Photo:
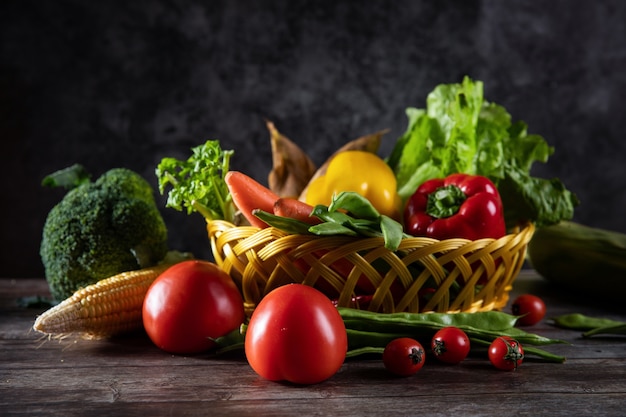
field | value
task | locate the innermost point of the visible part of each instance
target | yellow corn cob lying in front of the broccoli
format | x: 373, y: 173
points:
x: 109, y: 307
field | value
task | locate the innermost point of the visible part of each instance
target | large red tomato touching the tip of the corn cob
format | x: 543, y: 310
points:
x: 189, y: 305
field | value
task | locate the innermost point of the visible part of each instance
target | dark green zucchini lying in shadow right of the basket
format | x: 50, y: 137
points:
x: 581, y: 258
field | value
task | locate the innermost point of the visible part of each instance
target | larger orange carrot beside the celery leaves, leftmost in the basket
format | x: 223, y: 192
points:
x: 248, y: 195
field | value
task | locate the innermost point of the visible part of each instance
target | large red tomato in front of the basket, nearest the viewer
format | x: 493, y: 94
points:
x: 296, y: 334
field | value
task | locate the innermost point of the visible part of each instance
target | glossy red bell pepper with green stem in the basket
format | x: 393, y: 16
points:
x: 458, y: 206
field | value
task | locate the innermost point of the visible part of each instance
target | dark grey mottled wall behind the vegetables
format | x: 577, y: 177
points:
x: 117, y: 83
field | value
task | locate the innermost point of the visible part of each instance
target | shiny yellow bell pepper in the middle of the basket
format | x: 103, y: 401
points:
x: 362, y: 172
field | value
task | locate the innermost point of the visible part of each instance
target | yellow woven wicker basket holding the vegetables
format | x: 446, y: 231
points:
x: 423, y: 275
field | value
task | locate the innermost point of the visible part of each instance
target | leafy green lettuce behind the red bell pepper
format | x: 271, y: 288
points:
x: 460, y: 132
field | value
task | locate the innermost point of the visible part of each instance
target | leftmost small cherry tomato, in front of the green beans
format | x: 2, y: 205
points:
x: 404, y: 356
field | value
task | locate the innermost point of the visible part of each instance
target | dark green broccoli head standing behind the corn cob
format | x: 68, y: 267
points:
x: 100, y: 229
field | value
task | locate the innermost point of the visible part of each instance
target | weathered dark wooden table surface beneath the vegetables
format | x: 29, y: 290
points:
x: 130, y: 377
